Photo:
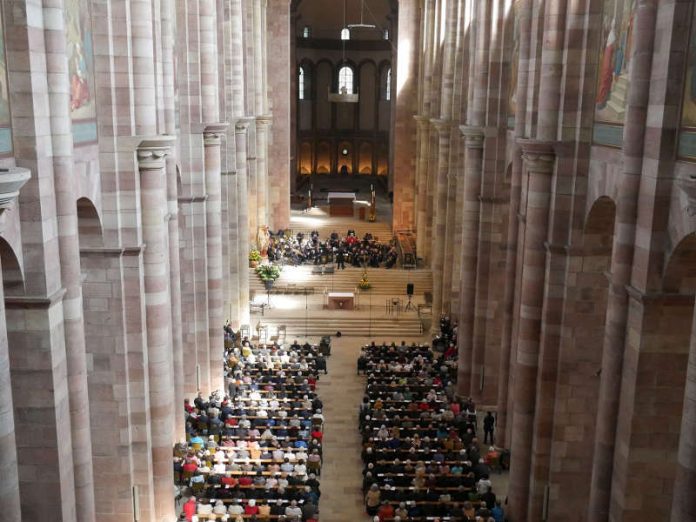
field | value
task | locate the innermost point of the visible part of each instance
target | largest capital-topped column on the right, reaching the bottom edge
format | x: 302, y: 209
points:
x: 539, y: 165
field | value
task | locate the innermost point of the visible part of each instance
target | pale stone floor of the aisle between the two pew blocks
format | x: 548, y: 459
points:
x: 341, y: 392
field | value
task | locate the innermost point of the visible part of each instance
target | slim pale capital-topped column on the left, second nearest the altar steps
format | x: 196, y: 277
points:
x: 240, y: 136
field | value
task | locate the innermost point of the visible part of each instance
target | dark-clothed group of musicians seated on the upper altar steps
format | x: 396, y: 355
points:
x: 343, y: 250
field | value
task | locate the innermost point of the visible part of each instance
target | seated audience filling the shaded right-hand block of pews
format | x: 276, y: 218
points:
x: 422, y: 458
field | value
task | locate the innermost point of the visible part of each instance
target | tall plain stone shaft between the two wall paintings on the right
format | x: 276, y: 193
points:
x: 622, y: 261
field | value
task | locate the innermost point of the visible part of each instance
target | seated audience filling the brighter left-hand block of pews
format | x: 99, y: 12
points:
x: 256, y: 452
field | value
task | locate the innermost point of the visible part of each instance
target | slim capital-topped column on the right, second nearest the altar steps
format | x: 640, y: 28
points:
x: 443, y: 128
